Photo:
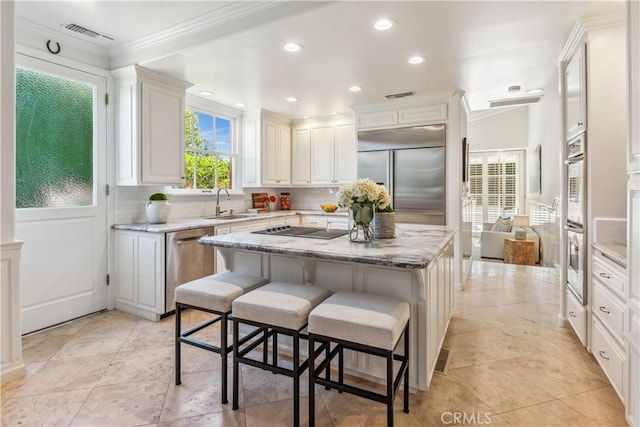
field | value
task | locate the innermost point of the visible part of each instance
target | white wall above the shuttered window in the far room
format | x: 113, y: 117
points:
x: 499, y: 129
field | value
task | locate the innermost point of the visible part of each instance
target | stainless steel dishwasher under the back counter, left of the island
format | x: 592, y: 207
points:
x: 186, y: 260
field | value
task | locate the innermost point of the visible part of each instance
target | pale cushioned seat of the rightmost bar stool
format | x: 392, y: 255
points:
x: 373, y: 320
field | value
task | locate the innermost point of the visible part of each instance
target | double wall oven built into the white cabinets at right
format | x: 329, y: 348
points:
x: 576, y: 215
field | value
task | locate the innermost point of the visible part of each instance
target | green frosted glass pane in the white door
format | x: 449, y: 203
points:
x: 54, y: 141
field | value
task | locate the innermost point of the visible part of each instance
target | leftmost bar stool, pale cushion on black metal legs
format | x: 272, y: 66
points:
x: 212, y: 294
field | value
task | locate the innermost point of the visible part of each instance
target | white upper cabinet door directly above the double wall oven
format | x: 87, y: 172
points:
x: 575, y: 95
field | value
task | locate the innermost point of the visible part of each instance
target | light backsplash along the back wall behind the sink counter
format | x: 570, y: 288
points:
x: 131, y: 202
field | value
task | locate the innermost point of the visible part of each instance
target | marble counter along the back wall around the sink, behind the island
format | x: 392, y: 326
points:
x: 192, y: 223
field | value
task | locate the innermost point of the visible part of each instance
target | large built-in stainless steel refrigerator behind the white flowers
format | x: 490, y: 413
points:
x: 411, y: 163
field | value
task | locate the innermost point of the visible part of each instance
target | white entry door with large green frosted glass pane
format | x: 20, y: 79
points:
x: 60, y: 192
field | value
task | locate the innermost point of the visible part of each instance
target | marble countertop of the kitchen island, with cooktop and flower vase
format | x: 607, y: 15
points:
x: 414, y: 246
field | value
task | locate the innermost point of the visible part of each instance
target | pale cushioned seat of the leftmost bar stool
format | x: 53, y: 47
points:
x: 217, y: 292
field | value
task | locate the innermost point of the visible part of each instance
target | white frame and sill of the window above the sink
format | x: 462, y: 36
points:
x: 213, y: 108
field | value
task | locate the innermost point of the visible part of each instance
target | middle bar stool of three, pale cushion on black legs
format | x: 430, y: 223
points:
x: 275, y: 308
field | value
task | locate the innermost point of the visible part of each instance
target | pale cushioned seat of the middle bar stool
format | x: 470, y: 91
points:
x: 279, y: 304
